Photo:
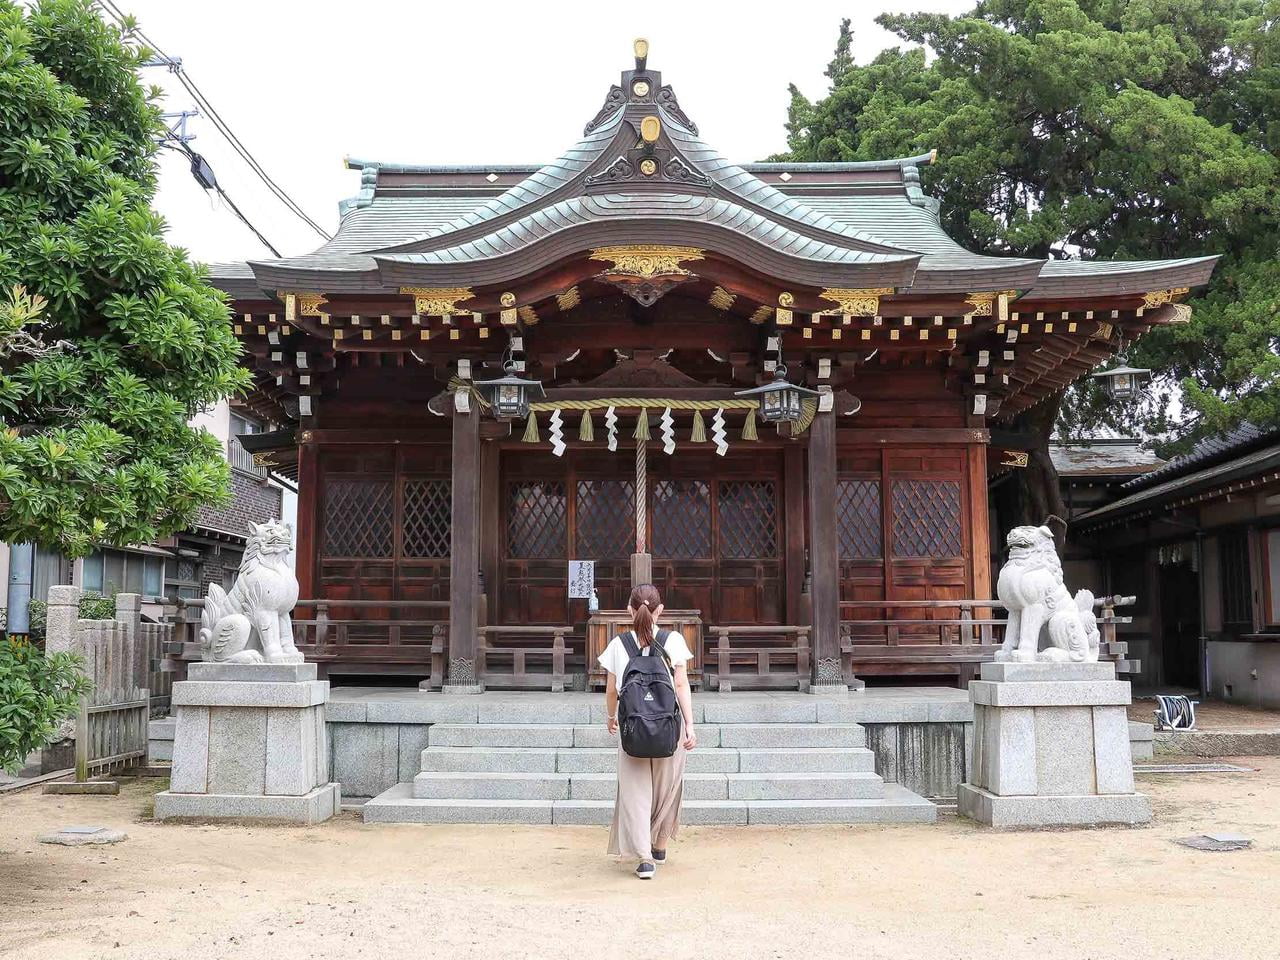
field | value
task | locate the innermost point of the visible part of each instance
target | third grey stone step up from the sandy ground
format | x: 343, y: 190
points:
x: 520, y: 760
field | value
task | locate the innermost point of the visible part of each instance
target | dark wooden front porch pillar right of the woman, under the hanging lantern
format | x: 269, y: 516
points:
x: 825, y: 557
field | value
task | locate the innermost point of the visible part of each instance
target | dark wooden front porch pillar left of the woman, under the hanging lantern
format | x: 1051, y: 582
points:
x: 465, y: 555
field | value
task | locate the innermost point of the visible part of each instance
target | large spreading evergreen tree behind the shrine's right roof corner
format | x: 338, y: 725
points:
x: 1096, y: 129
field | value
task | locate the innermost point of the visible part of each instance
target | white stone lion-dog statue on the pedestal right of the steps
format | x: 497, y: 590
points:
x: 1031, y: 587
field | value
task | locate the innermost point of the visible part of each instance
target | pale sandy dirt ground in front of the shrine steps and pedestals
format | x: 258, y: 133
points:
x: 345, y: 890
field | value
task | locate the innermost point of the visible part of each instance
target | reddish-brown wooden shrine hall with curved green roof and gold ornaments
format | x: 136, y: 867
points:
x: 767, y: 388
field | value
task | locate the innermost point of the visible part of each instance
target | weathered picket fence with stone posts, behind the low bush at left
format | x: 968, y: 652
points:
x: 112, y: 725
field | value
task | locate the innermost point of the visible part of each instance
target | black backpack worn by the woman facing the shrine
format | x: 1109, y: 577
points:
x: 648, y: 711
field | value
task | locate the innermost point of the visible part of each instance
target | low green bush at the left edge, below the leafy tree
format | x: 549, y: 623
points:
x: 36, y: 694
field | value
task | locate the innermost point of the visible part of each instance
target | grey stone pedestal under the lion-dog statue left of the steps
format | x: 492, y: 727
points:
x: 250, y: 743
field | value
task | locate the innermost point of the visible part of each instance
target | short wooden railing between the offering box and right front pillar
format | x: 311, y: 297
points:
x: 761, y: 657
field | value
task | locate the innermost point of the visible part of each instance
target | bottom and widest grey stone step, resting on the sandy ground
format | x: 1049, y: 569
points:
x: 400, y: 806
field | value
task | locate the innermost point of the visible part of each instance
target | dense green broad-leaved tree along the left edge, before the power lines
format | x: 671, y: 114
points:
x: 111, y: 340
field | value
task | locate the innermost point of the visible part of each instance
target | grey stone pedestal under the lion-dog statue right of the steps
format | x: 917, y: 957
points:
x: 1052, y: 748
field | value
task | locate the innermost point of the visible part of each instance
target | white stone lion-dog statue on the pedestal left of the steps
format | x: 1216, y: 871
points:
x: 252, y: 624
